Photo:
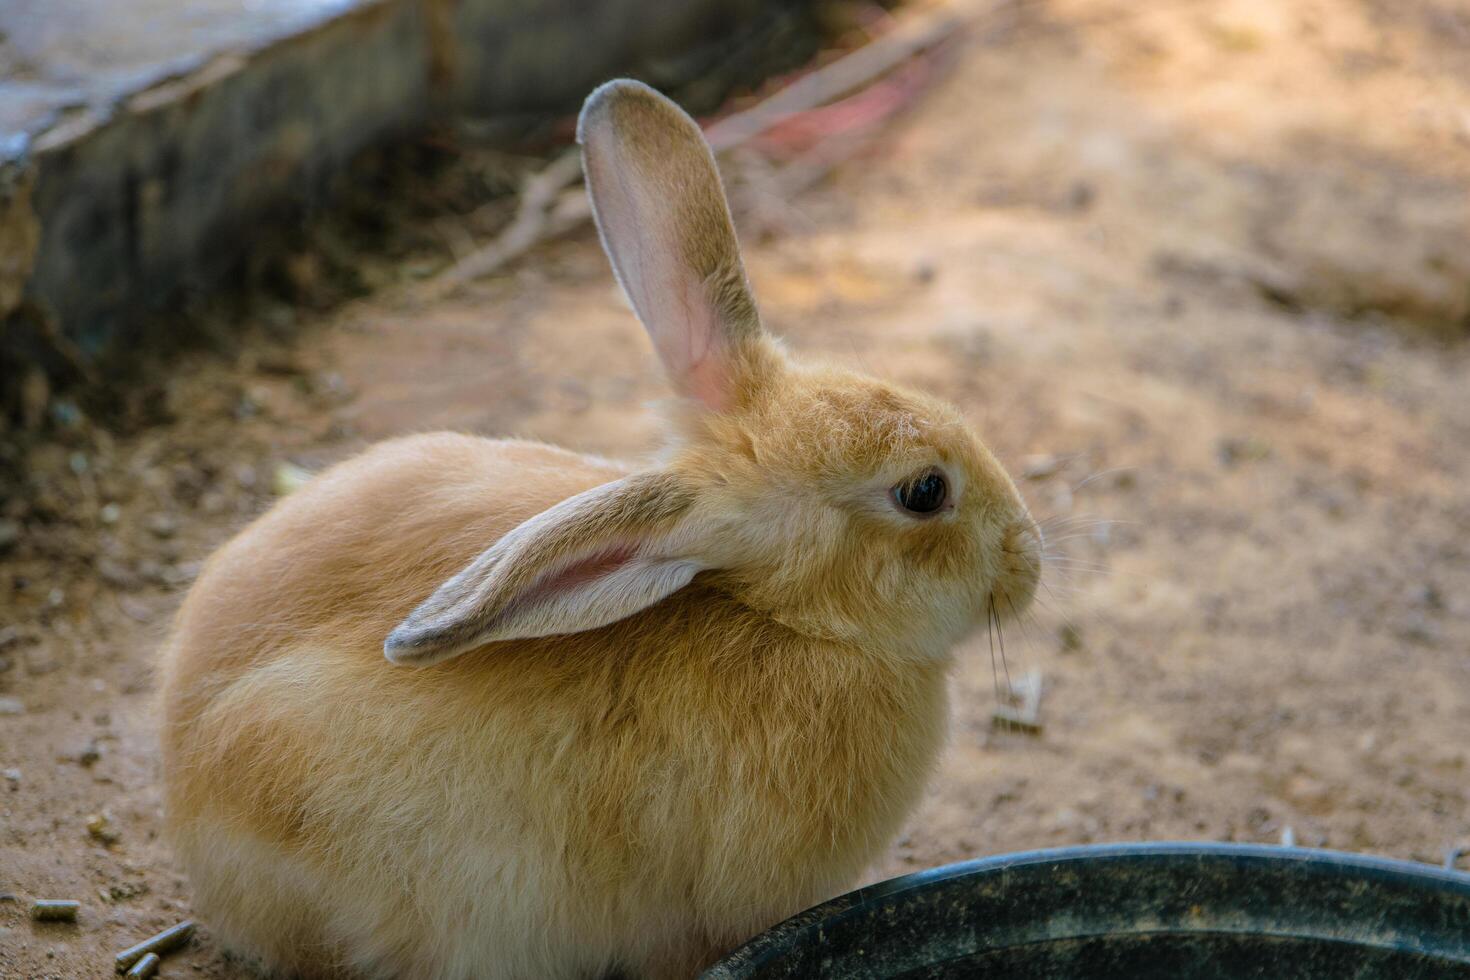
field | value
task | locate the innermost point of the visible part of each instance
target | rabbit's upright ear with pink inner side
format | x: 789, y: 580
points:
x: 667, y: 228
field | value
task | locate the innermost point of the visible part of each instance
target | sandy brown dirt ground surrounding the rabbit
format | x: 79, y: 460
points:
x: 1202, y: 274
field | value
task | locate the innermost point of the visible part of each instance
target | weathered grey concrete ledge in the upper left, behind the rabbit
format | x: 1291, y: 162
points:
x: 143, y: 142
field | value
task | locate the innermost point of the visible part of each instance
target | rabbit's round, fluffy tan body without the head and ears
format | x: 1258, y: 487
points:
x: 640, y: 800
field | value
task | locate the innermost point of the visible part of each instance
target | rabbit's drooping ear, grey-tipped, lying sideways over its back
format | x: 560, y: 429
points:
x: 590, y: 561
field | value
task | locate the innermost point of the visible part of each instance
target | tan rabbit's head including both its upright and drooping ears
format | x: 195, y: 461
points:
x: 836, y: 505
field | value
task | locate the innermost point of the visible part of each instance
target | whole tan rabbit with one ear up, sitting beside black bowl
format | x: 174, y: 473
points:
x: 467, y: 707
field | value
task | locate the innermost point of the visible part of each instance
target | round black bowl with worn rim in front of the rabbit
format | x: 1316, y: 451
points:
x: 1143, y: 912
